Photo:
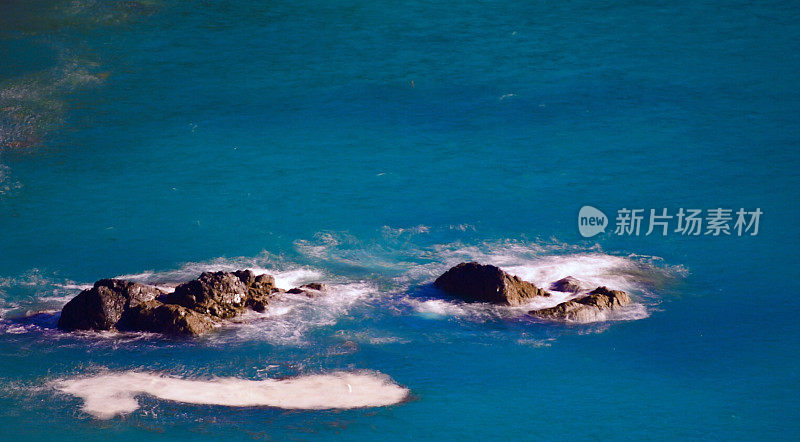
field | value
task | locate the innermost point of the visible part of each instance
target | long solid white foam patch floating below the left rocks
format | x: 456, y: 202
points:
x: 108, y: 395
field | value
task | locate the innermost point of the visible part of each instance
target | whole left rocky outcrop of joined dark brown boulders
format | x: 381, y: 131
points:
x: 195, y: 307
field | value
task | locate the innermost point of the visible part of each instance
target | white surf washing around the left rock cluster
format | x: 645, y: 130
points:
x: 29, y: 302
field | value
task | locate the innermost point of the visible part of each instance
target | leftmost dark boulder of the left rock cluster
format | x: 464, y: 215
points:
x: 102, y: 306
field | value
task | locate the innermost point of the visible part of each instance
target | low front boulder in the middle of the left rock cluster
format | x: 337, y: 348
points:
x: 155, y: 316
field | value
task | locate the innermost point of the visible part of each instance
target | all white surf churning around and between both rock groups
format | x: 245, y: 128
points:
x: 370, y: 281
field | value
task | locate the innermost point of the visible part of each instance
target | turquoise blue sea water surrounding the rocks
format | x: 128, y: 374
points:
x: 370, y: 145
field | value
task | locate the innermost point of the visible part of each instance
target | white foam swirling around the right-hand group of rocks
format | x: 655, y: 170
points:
x: 640, y: 276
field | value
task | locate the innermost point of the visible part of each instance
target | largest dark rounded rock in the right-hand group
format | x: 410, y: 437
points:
x: 473, y: 282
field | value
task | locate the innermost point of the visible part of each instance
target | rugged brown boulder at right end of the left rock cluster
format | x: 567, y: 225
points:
x: 219, y: 294
